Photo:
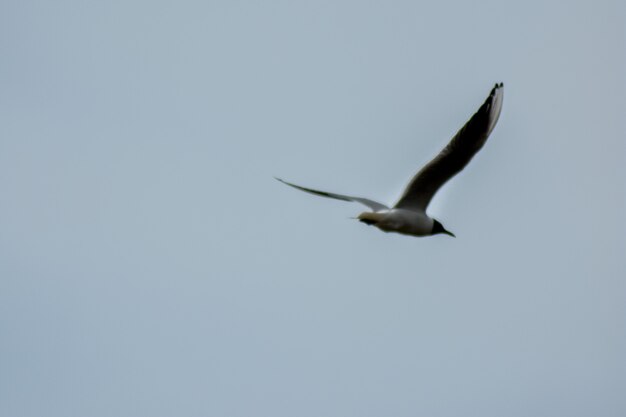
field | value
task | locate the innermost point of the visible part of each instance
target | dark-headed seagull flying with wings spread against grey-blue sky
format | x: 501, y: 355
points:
x: 408, y: 216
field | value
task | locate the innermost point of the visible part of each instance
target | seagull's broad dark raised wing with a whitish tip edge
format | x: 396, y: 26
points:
x: 455, y: 156
